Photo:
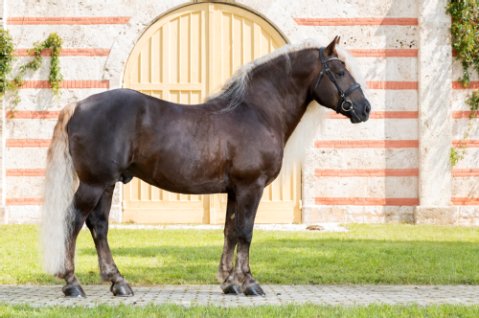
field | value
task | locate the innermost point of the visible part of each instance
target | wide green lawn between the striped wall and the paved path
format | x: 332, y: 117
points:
x: 367, y: 254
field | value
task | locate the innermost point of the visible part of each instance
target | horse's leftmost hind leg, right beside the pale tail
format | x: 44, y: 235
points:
x: 84, y: 201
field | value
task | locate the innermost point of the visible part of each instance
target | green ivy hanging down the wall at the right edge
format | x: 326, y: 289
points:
x: 465, y: 42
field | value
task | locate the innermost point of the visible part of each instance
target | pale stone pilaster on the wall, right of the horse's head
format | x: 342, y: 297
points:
x: 435, y: 121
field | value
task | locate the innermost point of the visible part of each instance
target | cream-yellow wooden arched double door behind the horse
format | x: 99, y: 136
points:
x: 184, y: 57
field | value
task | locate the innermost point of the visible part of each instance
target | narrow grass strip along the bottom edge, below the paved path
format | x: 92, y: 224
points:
x: 296, y: 311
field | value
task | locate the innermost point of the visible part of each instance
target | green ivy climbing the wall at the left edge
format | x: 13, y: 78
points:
x: 53, y: 43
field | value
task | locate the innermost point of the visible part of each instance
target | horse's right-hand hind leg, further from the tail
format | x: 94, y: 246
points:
x: 97, y: 223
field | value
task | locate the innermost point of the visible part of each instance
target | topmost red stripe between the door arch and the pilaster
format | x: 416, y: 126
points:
x: 356, y: 21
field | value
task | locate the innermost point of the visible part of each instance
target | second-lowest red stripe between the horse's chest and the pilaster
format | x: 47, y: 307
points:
x: 367, y: 172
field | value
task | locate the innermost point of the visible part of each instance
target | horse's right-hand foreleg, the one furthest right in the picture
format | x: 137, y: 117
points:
x: 248, y: 199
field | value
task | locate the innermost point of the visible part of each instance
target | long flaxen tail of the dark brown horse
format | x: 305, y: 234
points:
x: 61, y: 182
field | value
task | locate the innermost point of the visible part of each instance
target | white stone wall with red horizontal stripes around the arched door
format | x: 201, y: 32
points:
x: 394, y: 168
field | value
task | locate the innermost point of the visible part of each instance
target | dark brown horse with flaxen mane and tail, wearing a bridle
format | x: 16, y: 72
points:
x: 233, y: 143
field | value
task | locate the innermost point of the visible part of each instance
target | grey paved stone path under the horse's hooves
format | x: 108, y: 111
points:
x: 276, y: 295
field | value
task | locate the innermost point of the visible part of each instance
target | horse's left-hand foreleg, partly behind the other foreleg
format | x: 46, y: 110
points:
x: 225, y: 270
